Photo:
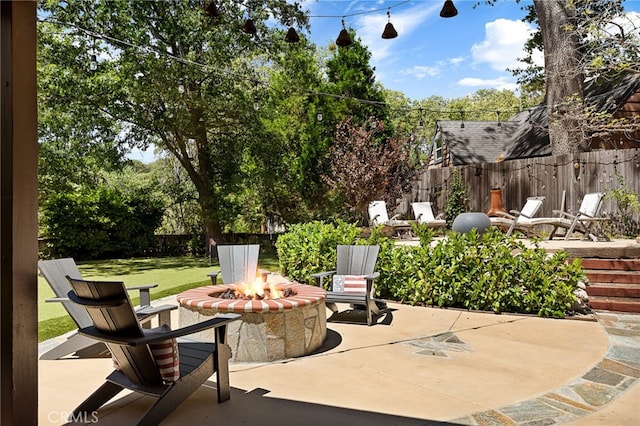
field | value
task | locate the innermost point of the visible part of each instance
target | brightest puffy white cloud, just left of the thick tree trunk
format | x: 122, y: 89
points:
x: 503, y: 44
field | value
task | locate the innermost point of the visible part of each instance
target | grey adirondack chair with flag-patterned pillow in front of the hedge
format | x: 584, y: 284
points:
x: 353, y: 280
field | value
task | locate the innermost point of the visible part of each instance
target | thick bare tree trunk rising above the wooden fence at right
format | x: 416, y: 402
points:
x: 564, y: 76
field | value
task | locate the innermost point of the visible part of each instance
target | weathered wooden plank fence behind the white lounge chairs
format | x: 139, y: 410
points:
x: 550, y: 177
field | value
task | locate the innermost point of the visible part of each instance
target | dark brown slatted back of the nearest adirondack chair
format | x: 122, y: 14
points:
x: 109, y: 307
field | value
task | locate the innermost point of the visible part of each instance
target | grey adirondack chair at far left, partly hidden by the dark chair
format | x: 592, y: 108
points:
x: 55, y: 272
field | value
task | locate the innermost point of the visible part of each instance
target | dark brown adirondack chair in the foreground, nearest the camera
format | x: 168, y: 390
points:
x: 116, y: 324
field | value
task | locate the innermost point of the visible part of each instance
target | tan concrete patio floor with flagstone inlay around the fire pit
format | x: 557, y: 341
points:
x: 417, y: 366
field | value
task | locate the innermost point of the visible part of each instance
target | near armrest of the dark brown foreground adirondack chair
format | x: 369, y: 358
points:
x: 220, y: 320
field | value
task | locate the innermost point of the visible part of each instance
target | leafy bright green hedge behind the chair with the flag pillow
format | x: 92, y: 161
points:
x: 488, y: 272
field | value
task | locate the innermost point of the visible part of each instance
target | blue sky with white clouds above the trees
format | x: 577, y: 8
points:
x: 449, y: 57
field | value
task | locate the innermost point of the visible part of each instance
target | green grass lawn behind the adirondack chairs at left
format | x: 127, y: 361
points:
x: 172, y: 274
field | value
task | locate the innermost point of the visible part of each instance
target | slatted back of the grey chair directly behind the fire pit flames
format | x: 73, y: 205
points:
x: 238, y: 263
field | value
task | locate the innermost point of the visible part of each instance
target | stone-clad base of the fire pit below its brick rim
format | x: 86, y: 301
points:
x: 269, y: 335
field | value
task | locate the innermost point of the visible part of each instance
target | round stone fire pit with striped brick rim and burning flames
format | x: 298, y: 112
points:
x: 280, y: 319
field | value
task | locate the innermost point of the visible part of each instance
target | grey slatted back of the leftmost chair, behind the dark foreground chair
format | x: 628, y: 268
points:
x: 55, y: 272
